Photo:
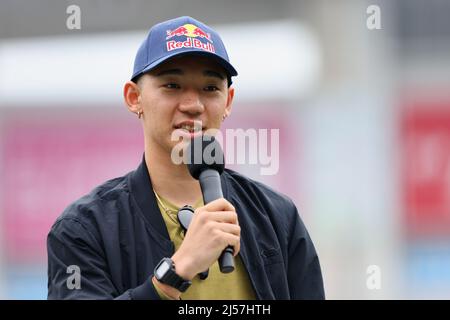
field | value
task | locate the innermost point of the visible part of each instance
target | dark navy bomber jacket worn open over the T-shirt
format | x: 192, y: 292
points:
x: 116, y: 236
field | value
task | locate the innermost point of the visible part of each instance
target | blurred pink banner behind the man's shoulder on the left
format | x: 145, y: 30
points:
x: 49, y: 162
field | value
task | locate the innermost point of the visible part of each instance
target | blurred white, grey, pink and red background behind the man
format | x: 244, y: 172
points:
x: 363, y: 114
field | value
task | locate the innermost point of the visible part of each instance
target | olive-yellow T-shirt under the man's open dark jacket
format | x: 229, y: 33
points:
x: 235, y: 285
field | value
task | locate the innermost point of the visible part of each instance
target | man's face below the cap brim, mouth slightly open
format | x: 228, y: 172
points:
x: 179, y: 96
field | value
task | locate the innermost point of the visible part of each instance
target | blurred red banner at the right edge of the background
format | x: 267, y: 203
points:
x: 426, y: 166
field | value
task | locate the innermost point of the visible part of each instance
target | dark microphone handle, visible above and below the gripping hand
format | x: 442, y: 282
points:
x: 212, y: 190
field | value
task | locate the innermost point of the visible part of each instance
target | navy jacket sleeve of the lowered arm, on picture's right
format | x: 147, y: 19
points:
x: 304, y: 273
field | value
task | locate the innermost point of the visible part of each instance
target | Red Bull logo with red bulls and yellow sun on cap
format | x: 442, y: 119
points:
x: 193, y: 35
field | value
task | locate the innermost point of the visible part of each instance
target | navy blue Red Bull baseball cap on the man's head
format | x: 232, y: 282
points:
x: 176, y: 37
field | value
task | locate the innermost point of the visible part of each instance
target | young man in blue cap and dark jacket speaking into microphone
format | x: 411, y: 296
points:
x: 124, y: 238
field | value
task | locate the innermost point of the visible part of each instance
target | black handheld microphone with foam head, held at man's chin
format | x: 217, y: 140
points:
x: 206, y: 164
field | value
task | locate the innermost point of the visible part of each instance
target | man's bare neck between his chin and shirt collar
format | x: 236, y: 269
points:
x: 171, y: 181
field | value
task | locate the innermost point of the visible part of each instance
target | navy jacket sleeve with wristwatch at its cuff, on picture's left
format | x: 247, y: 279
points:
x: 77, y: 267
